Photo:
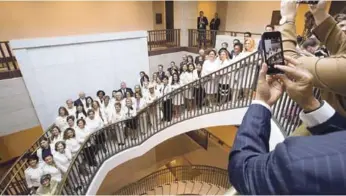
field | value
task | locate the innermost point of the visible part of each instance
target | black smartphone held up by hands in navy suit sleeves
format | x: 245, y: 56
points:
x: 273, y: 51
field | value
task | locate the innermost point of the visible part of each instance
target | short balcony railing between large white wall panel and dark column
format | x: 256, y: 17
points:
x: 163, y: 39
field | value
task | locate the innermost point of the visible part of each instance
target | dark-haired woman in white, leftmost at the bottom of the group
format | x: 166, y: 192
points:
x: 33, y: 173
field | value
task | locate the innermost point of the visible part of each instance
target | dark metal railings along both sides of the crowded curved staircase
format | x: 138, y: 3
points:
x: 239, y: 78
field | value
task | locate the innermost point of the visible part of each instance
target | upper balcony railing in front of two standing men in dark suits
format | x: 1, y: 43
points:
x: 207, y: 38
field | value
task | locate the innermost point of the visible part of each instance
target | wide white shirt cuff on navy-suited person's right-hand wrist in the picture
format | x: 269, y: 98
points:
x: 318, y: 116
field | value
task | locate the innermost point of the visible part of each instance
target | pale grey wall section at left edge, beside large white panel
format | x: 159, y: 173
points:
x: 16, y: 110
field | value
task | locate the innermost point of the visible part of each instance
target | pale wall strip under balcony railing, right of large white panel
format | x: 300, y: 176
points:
x: 165, y: 60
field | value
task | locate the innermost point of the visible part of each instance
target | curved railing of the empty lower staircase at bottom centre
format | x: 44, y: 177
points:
x: 200, y: 173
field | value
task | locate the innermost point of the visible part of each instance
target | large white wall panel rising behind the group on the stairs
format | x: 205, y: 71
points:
x: 55, y: 69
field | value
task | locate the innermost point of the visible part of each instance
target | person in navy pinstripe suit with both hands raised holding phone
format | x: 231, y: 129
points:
x: 299, y: 165
